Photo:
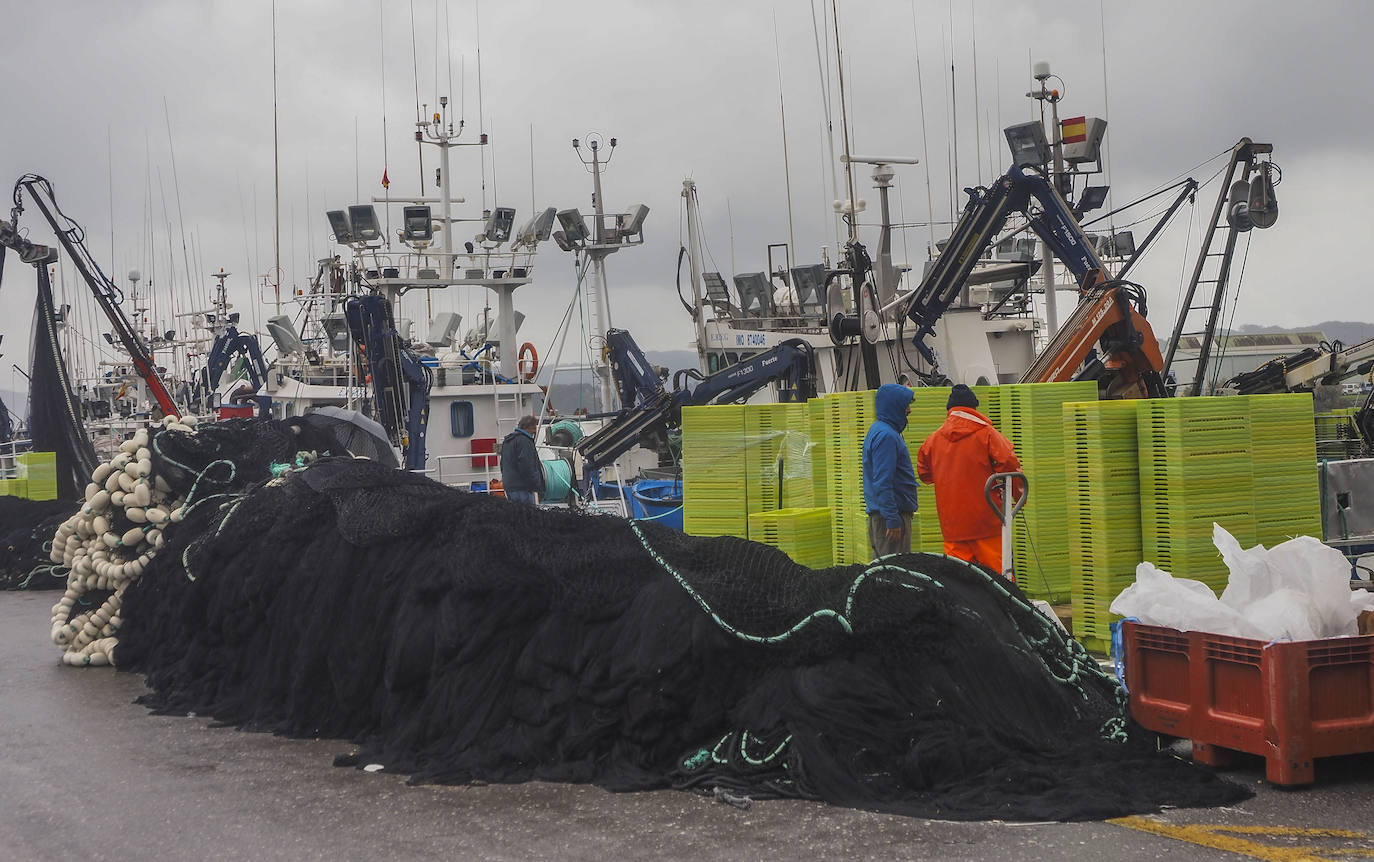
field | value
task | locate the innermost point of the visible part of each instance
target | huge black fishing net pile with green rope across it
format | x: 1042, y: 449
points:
x: 458, y: 637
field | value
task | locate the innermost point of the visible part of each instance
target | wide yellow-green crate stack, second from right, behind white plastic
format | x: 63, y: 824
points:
x: 1196, y: 469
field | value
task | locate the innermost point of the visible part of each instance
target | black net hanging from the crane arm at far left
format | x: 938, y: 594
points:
x: 54, y: 413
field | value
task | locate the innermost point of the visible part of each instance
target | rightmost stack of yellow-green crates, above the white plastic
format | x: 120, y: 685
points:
x: 1284, y: 453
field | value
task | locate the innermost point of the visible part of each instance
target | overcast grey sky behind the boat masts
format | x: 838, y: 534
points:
x: 101, y: 96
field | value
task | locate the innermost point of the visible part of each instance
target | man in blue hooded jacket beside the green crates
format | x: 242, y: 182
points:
x: 890, y: 485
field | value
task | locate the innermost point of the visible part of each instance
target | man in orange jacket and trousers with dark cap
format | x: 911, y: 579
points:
x: 958, y: 458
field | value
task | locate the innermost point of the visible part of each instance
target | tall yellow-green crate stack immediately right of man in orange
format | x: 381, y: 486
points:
x: 1033, y: 419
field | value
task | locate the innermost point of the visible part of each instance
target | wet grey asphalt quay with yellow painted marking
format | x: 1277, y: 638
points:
x: 89, y: 775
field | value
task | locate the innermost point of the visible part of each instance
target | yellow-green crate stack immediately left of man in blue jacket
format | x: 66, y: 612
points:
x: 848, y: 417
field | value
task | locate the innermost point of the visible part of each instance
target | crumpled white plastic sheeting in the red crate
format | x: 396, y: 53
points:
x: 1295, y: 592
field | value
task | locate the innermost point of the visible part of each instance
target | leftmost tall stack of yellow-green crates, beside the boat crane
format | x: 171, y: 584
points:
x: 715, y: 472
